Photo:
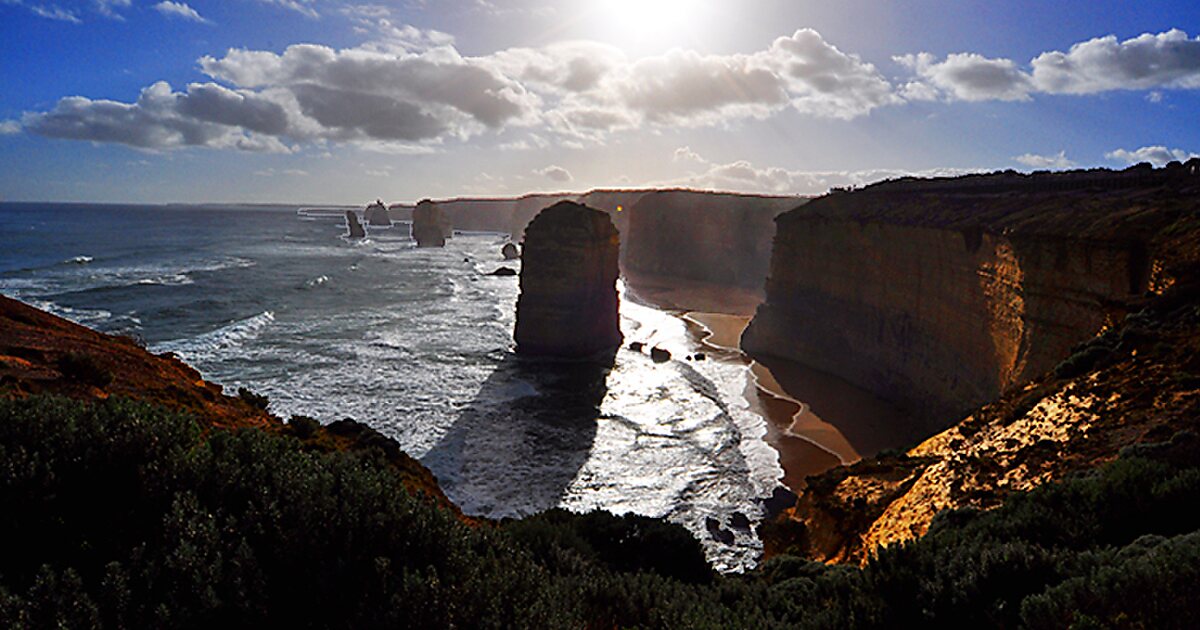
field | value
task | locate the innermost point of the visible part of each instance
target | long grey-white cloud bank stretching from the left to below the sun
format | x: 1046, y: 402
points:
x: 411, y: 88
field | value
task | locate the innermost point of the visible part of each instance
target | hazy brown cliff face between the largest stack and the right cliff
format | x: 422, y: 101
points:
x: 707, y: 238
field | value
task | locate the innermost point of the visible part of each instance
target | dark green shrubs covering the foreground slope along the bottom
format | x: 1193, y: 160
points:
x: 123, y: 514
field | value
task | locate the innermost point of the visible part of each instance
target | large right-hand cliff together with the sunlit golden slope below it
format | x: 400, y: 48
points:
x: 1069, y: 304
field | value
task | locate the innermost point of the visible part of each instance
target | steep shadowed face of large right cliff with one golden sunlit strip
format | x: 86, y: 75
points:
x: 941, y: 299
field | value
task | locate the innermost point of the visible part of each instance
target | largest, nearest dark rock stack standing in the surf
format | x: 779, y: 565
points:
x: 568, y: 304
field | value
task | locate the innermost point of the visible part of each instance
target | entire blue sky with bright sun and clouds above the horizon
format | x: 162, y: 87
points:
x: 333, y: 101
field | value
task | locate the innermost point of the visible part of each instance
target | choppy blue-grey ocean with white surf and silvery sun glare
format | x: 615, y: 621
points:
x: 418, y: 344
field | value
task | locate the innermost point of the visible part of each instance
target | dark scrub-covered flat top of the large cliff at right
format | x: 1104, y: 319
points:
x: 1136, y: 205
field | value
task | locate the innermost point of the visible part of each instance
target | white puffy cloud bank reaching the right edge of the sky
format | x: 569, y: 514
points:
x: 1150, y: 62
